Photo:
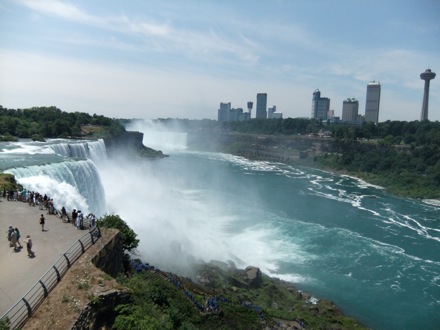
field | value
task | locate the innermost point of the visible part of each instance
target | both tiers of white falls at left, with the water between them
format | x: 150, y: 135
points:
x: 72, y: 180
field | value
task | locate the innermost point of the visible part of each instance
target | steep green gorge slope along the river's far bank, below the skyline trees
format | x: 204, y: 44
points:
x: 409, y: 171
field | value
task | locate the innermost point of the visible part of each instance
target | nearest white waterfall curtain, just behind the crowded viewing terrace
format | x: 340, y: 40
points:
x: 72, y: 184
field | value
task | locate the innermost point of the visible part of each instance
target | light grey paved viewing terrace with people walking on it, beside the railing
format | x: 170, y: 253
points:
x: 18, y: 272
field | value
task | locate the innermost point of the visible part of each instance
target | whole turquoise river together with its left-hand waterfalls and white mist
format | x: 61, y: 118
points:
x: 374, y: 254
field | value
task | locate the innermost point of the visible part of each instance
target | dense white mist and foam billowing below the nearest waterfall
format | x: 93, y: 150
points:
x: 167, y: 214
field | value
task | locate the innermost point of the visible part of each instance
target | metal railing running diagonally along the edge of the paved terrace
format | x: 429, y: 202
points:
x: 23, y: 309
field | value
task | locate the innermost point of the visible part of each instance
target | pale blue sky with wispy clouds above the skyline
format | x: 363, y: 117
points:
x: 180, y: 59
